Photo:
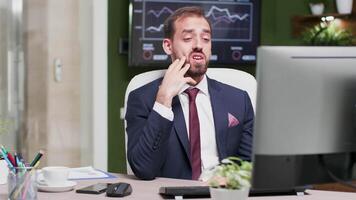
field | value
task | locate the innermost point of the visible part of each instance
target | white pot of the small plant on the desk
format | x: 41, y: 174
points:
x: 227, y: 194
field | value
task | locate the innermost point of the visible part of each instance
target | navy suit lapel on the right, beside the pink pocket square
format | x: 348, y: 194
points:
x: 220, y: 114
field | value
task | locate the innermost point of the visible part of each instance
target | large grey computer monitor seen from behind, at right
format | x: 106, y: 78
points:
x: 306, y: 107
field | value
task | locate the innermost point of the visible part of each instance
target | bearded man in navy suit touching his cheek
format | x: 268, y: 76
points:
x: 174, y: 132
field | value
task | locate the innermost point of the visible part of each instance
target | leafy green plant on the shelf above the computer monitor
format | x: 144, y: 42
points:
x: 327, y: 34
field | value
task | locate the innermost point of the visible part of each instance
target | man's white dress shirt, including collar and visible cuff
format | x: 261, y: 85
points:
x: 208, y: 147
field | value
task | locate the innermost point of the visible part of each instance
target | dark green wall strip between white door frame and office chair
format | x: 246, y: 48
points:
x: 119, y: 75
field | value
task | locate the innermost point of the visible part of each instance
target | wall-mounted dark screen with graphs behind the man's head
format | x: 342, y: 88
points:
x: 235, y: 28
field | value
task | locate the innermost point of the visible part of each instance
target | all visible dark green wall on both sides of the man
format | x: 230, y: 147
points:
x: 275, y: 30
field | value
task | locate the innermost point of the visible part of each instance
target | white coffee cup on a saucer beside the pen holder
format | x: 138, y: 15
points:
x: 55, y: 176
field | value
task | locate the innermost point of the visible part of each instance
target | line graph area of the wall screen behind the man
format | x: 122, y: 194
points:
x: 230, y: 21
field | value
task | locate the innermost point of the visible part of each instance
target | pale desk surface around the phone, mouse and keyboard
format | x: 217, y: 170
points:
x: 149, y: 190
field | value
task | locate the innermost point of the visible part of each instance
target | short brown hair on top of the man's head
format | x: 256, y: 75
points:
x: 169, y: 28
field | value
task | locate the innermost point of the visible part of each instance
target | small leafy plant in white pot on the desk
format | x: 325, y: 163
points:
x: 231, y: 179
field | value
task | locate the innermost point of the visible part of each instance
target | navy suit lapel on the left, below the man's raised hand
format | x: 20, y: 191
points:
x: 180, y: 126
